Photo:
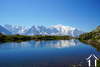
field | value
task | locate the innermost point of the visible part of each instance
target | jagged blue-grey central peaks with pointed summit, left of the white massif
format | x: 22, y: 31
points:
x: 41, y: 30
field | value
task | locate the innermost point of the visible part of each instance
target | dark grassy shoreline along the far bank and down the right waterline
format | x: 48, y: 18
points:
x: 21, y: 38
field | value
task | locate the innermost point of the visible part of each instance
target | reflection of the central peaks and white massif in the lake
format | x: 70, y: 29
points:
x: 55, y: 44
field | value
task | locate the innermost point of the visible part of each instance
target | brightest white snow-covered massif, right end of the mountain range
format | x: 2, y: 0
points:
x: 67, y: 30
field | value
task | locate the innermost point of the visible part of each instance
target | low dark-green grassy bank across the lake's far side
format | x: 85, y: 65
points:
x: 19, y: 38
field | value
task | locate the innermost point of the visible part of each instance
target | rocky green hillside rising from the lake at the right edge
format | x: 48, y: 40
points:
x: 92, y: 38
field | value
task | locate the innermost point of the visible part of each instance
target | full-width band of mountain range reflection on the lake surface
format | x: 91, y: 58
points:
x: 40, y: 44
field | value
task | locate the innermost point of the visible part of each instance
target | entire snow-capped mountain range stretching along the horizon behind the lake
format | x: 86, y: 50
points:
x: 42, y: 30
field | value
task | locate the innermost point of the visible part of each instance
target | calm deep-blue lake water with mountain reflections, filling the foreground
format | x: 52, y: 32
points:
x: 59, y: 53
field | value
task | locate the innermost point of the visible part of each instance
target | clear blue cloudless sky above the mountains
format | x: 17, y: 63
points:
x: 82, y: 14
